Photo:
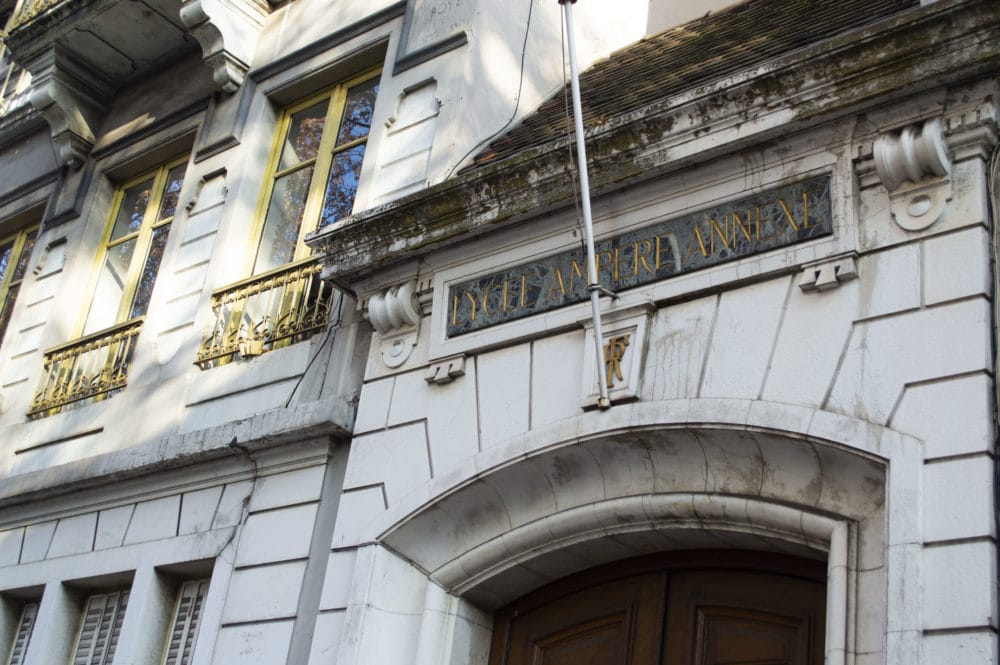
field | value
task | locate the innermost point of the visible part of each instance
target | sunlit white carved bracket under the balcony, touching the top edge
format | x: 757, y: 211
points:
x: 227, y: 31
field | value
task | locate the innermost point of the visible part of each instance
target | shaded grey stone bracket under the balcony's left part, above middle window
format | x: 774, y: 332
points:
x: 70, y: 98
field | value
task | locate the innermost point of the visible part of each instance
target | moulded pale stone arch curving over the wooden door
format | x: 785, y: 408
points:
x: 651, y: 477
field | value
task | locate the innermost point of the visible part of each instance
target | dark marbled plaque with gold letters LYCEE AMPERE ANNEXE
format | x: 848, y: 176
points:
x: 776, y: 218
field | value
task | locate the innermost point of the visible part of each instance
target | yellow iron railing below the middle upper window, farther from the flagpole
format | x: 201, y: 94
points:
x: 93, y: 367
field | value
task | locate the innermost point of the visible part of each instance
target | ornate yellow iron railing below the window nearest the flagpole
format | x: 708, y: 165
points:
x: 266, y: 311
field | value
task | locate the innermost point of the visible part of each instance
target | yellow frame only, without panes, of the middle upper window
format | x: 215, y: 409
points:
x: 143, y: 237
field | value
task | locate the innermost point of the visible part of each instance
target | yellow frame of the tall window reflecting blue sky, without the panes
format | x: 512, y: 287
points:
x: 322, y: 163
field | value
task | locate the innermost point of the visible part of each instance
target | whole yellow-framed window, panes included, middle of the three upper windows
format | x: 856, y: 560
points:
x: 133, y: 247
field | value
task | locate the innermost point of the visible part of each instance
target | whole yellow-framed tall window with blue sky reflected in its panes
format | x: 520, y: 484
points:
x: 314, y: 169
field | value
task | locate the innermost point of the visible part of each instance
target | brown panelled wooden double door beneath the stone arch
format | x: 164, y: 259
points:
x: 697, y: 608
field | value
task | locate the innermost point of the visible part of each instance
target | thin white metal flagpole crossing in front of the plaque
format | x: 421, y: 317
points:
x: 594, y: 284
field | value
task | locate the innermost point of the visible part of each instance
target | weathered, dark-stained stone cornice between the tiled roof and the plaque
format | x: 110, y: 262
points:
x: 944, y: 43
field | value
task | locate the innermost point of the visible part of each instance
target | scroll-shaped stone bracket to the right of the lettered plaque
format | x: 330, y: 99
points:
x: 914, y: 165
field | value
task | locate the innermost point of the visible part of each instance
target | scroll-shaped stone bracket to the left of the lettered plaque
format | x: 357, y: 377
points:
x: 395, y: 314
